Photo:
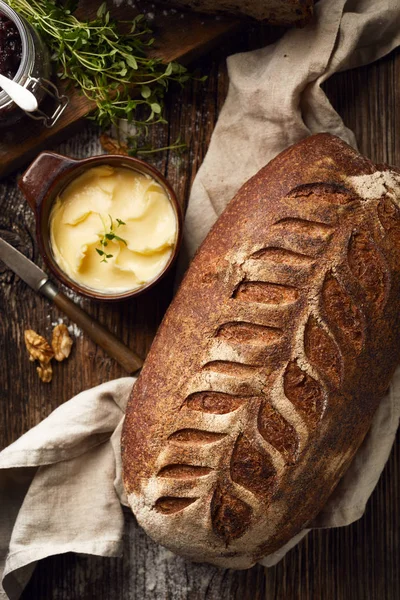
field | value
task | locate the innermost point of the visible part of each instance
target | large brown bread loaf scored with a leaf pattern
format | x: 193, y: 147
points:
x: 270, y: 363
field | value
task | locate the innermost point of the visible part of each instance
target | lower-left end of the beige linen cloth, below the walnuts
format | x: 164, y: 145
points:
x: 60, y: 485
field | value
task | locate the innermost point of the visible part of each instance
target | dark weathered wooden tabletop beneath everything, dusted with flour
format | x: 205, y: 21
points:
x: 360, y: 562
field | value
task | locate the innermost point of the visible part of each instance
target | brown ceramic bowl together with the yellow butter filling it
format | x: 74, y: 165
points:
x: 109, y: 227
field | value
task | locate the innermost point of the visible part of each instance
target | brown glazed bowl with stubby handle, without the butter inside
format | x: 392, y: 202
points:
x: 50, y: 174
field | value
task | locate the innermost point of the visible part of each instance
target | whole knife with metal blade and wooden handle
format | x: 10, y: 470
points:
x: 39, y: 281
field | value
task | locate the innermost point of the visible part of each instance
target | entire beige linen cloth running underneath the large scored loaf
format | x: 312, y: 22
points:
x: 60, y: 484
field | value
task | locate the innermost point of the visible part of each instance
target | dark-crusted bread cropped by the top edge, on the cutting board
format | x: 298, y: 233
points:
x: 277, y: 12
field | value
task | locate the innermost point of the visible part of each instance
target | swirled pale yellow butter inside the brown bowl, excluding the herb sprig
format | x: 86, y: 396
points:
x: 82, y: 214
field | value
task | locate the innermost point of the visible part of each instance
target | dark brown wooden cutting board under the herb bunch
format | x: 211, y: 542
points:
x: 180, y: 36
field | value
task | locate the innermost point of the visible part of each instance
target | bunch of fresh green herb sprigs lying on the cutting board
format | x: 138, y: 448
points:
x: 104, y: 63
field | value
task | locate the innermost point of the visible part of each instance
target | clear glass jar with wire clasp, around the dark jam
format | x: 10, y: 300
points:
x: 33, y: 73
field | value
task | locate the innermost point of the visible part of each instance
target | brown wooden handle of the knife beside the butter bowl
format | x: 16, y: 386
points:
x: 130, y: 361
